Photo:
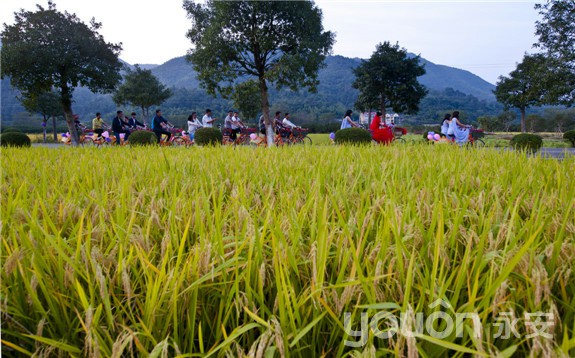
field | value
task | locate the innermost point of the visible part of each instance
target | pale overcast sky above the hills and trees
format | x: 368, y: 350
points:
x: 487, y: 38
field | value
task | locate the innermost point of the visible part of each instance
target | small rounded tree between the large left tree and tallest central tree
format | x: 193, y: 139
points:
x: 141, y: 89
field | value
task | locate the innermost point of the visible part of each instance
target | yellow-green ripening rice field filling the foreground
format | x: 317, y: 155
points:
x: 413, y: 250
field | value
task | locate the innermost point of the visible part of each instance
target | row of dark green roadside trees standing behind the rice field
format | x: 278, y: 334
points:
x: 48, y: 54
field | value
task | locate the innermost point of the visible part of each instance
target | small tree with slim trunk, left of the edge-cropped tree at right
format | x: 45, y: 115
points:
x: 525, y: 86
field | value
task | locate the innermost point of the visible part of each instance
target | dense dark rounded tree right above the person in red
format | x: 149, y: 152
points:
x: 389, y: 80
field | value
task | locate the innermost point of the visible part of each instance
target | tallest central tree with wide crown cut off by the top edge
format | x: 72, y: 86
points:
x: 275, y: 42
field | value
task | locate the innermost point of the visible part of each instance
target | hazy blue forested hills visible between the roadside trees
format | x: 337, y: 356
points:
x: 449, y: 89
